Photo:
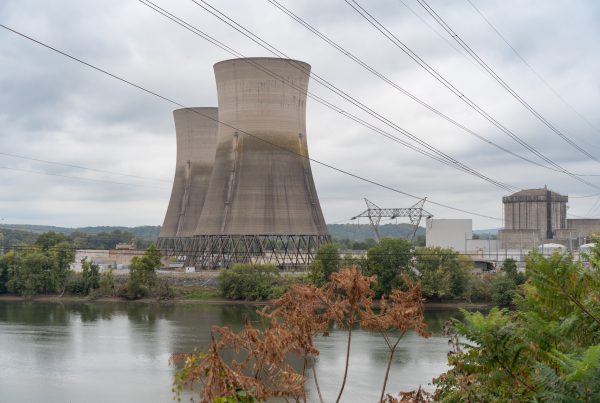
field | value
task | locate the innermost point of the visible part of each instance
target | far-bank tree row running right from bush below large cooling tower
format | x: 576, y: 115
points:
x: 444, y: 275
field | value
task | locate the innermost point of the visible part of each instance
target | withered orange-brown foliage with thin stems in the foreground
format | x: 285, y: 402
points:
x: 261, y: 368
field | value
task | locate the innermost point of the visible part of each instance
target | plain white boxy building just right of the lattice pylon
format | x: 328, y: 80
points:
x: 448, y: 233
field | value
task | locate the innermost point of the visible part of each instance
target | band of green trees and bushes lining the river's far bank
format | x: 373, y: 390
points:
x: 445, y: 276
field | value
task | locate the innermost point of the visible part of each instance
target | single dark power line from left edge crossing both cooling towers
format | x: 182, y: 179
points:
x: 166, y: 99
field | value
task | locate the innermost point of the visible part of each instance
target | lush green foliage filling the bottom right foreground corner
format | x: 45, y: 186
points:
x: 546, y: 350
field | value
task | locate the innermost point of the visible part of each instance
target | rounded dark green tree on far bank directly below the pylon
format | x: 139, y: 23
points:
x: 387, y: 260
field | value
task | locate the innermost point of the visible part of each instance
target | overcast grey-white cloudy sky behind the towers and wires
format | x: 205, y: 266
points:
x: 55, y: 110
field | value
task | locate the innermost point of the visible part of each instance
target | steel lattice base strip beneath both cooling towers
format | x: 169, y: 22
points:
x: 219, y: 251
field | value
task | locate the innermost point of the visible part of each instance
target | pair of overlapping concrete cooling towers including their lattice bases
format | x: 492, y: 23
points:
x: 243, y: 190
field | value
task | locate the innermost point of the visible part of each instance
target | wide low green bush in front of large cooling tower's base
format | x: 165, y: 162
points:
x: 252, y: 282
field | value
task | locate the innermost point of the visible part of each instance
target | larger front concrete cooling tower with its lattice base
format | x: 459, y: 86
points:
x: 261, y: 205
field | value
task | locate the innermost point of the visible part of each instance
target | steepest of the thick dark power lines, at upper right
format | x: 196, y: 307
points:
x: 500, y: 81
